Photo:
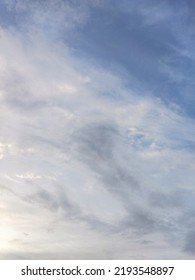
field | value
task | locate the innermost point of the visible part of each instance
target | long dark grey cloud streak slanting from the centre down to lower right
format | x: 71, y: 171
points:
x: 98, y: 145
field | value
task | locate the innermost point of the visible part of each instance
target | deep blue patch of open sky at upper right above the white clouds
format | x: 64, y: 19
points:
x: 146, y: 51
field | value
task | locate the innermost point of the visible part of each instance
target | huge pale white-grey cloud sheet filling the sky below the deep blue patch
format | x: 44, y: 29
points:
x: 88, y: 158
